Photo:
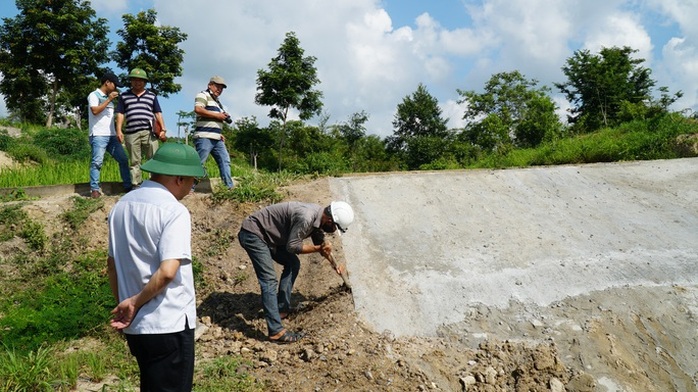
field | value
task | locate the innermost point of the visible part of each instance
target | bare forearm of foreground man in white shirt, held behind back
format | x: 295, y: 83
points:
x: 126, y: 310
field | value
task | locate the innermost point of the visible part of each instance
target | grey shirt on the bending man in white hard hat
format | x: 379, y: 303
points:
x: 287, y: 224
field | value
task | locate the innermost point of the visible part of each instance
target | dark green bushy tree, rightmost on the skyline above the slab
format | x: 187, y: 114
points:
x: 597, y: 86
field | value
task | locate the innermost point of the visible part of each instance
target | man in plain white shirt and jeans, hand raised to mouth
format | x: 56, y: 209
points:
x: 103, y: 136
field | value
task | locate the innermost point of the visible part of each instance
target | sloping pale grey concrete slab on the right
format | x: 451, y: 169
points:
x: 426, y: 248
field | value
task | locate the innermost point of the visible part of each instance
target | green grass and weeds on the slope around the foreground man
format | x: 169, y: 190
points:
x: 54, y: 310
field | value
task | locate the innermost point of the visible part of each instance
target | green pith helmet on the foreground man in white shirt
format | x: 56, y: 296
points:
x: 175, y: 159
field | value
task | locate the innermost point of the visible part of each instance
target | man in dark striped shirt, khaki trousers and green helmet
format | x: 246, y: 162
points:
x: 144, y: 122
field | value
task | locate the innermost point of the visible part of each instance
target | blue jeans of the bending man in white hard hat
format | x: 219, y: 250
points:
x: 276, y: 295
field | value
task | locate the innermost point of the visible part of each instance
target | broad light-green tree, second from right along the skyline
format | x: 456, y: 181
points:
x: 512, y: 111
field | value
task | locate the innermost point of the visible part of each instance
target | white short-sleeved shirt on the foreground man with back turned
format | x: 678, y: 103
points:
x: 146, y: 226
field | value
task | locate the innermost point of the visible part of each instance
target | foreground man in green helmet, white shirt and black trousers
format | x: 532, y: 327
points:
x: 150, y: 270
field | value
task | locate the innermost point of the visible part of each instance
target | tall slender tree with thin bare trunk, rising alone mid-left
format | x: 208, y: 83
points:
x: 288, y: 83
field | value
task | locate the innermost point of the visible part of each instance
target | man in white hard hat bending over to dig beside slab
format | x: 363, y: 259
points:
x: 276, y: 234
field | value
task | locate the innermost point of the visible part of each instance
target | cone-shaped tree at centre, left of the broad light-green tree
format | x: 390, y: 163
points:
x: 419, y: 129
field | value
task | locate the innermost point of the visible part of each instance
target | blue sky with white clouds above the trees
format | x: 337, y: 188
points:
x: 371, y: 54
